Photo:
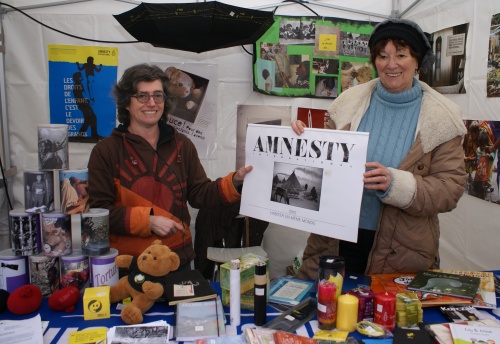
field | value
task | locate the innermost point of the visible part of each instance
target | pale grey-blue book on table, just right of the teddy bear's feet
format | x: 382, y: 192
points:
x: 200, y: 319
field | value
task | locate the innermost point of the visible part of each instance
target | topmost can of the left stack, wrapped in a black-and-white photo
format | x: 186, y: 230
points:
x: 53, y: 147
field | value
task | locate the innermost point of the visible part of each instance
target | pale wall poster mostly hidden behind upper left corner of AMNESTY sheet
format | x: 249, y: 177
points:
x: 261, y: 114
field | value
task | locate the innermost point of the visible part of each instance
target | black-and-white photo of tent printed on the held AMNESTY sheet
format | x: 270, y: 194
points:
x: 297, y: 185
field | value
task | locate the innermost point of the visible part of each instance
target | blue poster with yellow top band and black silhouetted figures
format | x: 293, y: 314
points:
x: 80, y: 83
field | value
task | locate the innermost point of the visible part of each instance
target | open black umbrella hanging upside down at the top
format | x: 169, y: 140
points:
x: 196, y: 27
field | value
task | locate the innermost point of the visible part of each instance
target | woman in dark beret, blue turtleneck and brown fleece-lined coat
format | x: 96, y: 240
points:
x: 415, y: 168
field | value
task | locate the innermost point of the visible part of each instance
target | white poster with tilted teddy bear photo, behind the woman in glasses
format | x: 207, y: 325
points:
x: 193, y: 89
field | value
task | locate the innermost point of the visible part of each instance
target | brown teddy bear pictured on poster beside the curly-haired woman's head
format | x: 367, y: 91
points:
x: 182, y: 87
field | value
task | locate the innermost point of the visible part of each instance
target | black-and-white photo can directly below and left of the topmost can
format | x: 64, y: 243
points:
x: 38, y: 191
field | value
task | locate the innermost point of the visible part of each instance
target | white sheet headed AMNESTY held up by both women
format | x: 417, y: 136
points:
x: 312, y: 182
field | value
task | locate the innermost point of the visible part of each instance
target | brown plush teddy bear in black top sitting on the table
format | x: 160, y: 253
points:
x: 145, y: 282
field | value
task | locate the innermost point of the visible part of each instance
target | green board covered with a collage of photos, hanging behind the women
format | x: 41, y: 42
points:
x: 315, y: 57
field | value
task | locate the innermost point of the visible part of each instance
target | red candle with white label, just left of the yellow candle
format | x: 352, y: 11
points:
x: 327, y: 305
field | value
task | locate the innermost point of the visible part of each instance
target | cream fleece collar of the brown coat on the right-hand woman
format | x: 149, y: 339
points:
x: 440, y: 119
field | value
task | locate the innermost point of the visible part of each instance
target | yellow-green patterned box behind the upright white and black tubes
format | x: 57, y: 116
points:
x: 247, y: 272
